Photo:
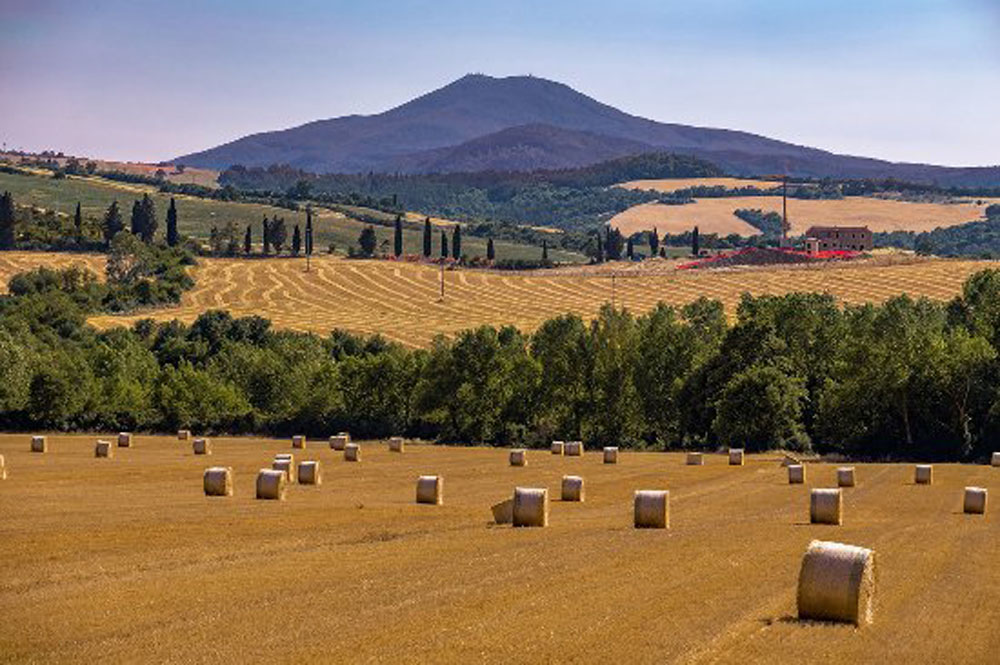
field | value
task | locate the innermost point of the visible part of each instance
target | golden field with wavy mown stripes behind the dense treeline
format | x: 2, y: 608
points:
x: 401, y: 300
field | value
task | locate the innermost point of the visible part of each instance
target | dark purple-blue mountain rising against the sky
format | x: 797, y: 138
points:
x: 521, y: 123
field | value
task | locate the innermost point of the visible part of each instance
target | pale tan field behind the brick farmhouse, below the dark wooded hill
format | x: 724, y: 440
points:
x: 716, y: 215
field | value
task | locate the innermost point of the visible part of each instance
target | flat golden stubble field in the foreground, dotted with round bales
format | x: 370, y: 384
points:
x: 127, y: 560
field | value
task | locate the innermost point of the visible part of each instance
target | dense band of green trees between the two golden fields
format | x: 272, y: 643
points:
x: 907, y: 379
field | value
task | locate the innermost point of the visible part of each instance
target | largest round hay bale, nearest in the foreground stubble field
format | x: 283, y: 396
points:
x: 837, y: 583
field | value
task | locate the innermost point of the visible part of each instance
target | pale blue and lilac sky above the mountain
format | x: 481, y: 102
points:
x: 905, y: 80
